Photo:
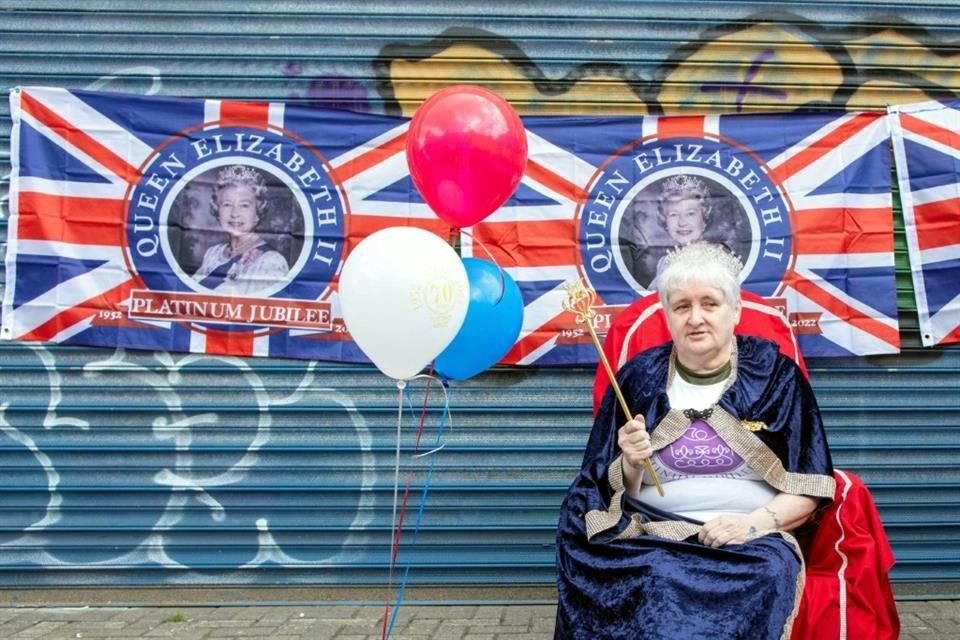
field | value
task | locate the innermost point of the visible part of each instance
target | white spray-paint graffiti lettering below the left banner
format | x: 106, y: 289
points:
x: 182, y: 480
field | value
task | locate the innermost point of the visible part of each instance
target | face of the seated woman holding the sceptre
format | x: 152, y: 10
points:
x: 701, y: 323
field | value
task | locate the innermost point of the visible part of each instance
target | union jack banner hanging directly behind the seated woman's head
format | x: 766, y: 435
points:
x: 809, y: 193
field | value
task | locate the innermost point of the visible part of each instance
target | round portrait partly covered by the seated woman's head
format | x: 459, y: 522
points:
x: 673, y: 212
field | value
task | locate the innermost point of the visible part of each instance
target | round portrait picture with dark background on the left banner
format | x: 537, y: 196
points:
x: 231, y: 237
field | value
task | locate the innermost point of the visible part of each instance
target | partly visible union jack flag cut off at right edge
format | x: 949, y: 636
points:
x: 926, y: 144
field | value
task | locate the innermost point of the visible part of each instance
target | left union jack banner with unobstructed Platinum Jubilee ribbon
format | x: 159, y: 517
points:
x: 97, y: 225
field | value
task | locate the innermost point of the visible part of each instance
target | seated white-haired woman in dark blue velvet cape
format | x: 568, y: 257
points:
x: 734, y: 432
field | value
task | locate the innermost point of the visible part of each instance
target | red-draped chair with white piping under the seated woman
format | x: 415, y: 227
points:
x: 847, y: 591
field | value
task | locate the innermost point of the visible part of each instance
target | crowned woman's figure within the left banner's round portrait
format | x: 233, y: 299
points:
x: 246, y: 263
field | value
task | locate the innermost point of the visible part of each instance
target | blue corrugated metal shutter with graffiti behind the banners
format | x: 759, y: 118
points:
x: 126, y: 468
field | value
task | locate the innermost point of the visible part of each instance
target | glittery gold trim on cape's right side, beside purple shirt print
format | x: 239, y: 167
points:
x: 765, y: 462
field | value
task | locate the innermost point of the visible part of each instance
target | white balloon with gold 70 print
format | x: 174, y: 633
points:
x: 404, y: 294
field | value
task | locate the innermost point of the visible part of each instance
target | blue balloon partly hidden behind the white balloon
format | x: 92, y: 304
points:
x: 494, y: 318
